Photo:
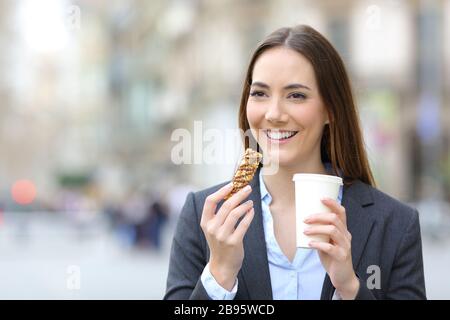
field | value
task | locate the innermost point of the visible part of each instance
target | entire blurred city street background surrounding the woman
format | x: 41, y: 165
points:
x: 92, y: 92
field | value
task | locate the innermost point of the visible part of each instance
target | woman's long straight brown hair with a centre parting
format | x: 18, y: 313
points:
x: 342, y: 140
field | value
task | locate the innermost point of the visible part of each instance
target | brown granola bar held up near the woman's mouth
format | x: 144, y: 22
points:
x: 246, y: 170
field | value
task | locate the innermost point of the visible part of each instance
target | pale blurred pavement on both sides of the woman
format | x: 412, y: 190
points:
x: 38, y: 266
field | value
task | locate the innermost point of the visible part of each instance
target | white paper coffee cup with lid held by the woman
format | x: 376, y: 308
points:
x: 309, y: 190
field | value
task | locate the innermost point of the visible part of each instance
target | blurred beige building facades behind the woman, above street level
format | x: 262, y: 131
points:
x: 98, y: 101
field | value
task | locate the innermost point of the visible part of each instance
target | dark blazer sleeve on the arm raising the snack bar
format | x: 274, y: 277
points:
x: 187, y: 257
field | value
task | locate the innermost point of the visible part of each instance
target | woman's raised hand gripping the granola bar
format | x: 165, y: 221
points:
x: 224, y: 240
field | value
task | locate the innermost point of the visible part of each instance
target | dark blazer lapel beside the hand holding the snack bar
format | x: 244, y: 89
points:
x: 255, y: 267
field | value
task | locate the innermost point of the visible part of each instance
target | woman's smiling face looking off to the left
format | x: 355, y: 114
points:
x: 284, y: 109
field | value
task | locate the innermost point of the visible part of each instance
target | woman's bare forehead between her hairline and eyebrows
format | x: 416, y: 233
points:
x: 280, y: 65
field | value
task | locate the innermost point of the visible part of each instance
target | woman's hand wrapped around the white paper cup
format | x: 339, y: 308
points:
x: 336, y: 256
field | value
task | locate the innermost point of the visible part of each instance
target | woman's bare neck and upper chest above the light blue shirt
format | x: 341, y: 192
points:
x: 280, y: 184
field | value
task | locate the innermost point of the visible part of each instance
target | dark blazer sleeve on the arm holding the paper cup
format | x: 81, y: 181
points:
x: 407, y: 281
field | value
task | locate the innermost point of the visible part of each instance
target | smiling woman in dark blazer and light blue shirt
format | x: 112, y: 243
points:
x: 297, y: 102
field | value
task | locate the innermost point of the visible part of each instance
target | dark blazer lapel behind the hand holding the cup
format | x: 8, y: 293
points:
x: 359, y: 223
